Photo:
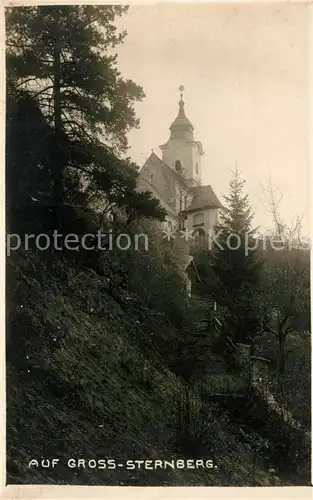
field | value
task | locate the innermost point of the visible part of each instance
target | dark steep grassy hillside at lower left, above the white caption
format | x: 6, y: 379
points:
x: 86, y: 379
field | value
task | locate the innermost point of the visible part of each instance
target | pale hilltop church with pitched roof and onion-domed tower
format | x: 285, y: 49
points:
x: 176, y: 180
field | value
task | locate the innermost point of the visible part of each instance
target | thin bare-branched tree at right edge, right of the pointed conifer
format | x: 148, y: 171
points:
x: 286, y: 288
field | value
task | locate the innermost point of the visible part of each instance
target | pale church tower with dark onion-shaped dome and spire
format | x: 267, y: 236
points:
x: 181, y: 152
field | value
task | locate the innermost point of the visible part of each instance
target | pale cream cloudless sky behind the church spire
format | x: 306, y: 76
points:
x: 245, y: 69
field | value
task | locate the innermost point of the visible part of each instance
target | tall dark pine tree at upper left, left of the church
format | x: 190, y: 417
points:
x: 62, y: 57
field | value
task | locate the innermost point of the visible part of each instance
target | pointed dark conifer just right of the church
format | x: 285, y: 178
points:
x: 237, y: 267
